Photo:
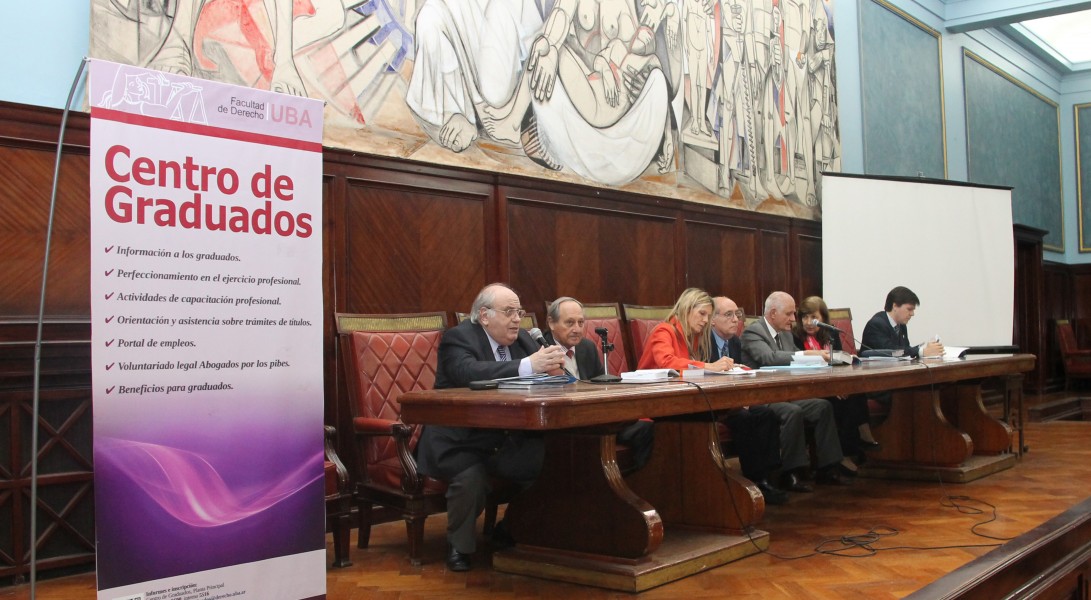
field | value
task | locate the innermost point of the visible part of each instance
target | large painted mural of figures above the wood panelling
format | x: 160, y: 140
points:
x: 720, y: 102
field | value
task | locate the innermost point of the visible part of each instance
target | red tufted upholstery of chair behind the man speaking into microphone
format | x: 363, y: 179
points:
x: 387, y: 356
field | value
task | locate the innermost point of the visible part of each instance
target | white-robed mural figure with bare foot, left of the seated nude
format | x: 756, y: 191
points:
x: 469, y: 56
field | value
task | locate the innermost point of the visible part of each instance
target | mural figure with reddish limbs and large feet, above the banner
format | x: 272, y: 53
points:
x: 179, y: 54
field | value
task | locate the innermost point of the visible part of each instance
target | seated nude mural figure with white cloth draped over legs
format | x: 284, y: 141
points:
x: 610, y: 116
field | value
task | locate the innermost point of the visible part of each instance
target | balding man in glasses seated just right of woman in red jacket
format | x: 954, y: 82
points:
x: 757, y: 429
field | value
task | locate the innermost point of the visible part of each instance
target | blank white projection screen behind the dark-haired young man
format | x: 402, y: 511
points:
x: 951, y: 243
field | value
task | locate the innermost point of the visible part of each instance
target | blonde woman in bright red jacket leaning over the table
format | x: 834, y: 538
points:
x: 684, y: 340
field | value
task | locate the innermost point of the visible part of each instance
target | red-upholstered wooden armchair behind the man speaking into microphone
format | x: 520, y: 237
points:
x: 386, y: 356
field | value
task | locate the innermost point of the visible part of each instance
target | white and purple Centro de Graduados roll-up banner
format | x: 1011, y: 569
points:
x: 207, y: 339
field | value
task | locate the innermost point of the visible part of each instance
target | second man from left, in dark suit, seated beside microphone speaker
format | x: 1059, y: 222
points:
x: 567, y: 322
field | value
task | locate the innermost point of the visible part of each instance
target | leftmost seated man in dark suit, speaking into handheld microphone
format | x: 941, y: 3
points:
x: 488, y: 345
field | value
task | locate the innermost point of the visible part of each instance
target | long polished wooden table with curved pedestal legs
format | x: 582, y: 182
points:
x: 686, y: 512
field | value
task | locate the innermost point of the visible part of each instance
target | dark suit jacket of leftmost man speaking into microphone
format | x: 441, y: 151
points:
x: 465, y: 355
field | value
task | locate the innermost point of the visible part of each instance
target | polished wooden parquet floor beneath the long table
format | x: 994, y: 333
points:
x: 933, y: 537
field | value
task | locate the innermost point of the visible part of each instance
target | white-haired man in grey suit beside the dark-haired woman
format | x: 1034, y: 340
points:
x: 769, y: 342
